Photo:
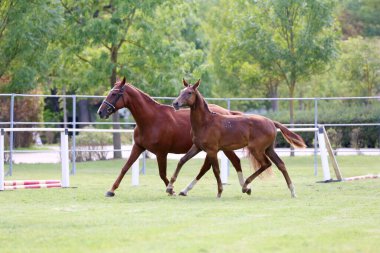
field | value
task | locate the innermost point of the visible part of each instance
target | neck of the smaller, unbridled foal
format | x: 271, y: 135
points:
x: 200, y: 113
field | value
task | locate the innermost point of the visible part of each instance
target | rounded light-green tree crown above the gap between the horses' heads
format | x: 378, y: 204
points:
x: 169, y: 49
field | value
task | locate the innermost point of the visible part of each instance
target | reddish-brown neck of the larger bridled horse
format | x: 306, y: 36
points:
x: 142, y: 107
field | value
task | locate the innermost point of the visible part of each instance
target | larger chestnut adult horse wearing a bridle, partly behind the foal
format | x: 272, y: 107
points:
x: 159, y: 129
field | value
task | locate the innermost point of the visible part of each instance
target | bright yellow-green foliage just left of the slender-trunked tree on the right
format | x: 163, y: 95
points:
x: 232, y: 70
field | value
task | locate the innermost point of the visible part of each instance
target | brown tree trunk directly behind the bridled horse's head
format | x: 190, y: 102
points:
x: 115, y: 116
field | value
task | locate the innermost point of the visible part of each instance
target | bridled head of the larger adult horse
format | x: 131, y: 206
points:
x: 114, y: 100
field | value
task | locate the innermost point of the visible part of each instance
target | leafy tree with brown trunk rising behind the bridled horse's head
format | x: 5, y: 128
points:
x: 105, y: 27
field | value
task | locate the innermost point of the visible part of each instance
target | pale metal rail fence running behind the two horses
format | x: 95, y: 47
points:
x: 314, y: 105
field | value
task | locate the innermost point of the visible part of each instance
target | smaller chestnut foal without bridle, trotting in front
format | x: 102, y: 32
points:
x: 213, y: 132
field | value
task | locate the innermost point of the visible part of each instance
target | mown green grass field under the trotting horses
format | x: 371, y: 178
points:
x: 335, y: 217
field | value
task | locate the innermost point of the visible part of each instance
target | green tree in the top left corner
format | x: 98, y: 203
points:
x: 27, y: 29
